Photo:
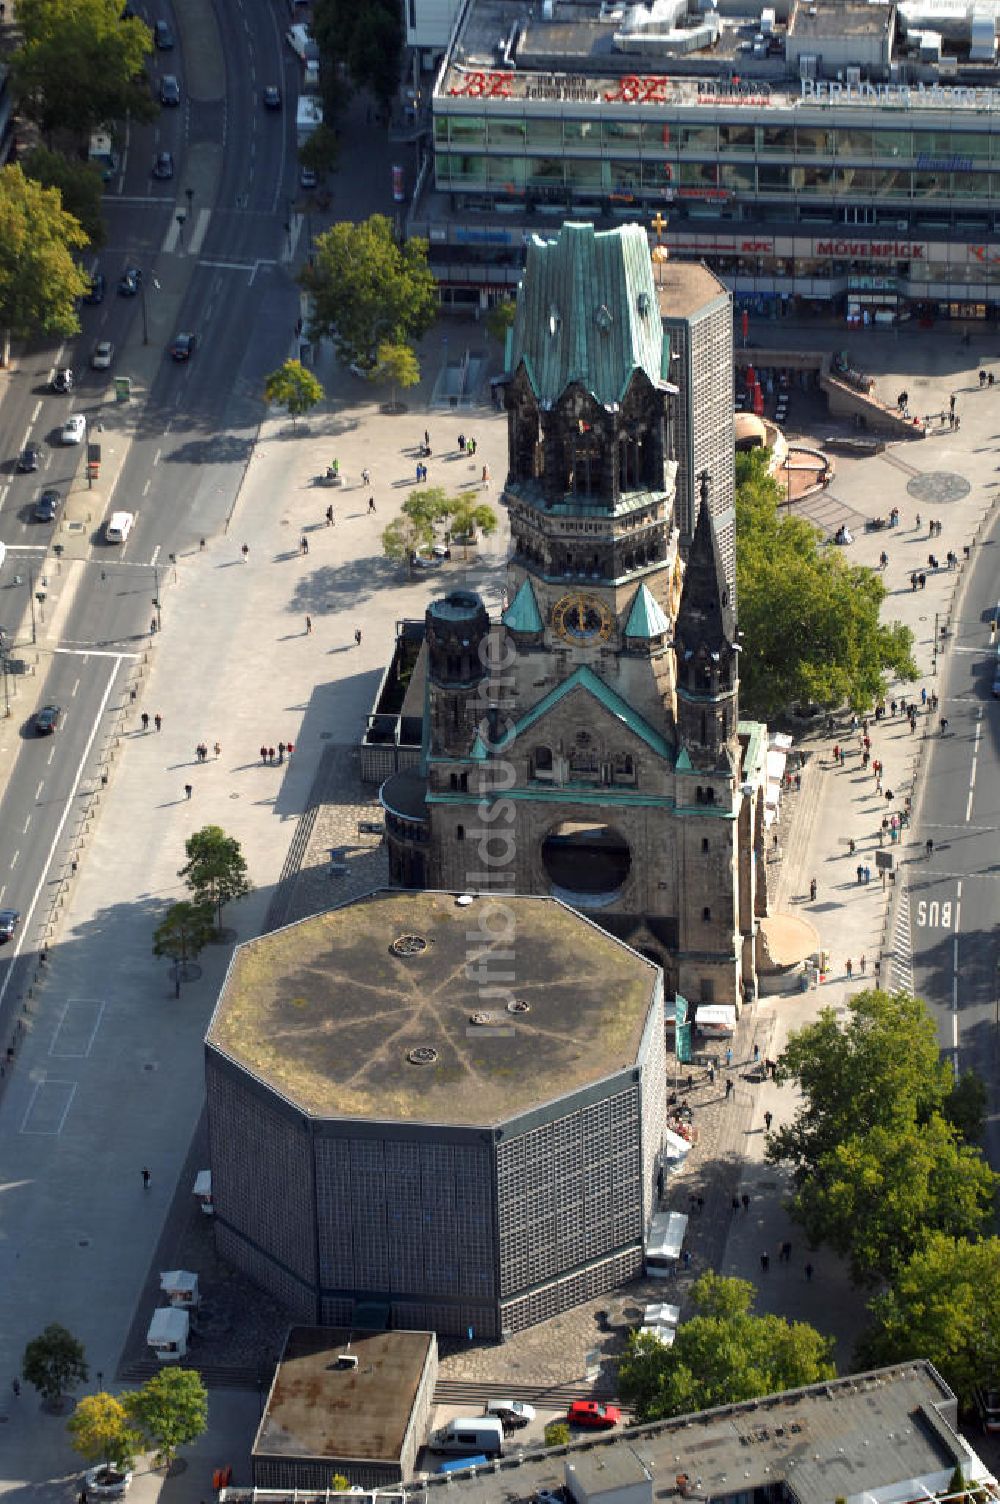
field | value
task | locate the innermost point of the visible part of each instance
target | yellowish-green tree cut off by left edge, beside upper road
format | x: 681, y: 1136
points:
x: 40, y: 280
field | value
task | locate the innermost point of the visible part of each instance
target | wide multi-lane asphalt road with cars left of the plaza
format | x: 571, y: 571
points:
x: 187, y: 437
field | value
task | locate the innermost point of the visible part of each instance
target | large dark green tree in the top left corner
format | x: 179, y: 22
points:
x: 80, y: 65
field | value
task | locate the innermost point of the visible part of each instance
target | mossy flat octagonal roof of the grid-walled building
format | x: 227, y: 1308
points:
x: 330, y: 1011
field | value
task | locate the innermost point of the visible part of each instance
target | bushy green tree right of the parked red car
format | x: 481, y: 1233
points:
x: 721, y: 1356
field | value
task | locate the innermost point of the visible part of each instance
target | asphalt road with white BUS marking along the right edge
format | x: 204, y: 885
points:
x: 954, y: 896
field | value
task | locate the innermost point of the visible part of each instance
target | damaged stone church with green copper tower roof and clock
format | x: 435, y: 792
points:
x: 589, y: 745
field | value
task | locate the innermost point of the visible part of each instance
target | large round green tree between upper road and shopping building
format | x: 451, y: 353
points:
x: 368, y: 290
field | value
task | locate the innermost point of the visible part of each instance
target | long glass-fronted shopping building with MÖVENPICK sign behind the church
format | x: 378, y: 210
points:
x: 822, y: 154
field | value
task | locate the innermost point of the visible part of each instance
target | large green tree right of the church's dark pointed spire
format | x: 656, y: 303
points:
x: 810, y: 620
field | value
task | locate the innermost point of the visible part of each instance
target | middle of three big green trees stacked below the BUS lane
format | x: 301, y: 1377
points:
x: 879, y: 1195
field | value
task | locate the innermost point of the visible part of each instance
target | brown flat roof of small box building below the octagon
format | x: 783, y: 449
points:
x: 317, y: 1410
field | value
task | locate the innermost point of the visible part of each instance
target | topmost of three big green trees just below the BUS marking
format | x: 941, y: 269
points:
x: 882, y: 1070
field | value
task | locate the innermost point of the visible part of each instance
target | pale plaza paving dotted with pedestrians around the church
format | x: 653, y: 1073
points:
x: 235, y: 664
